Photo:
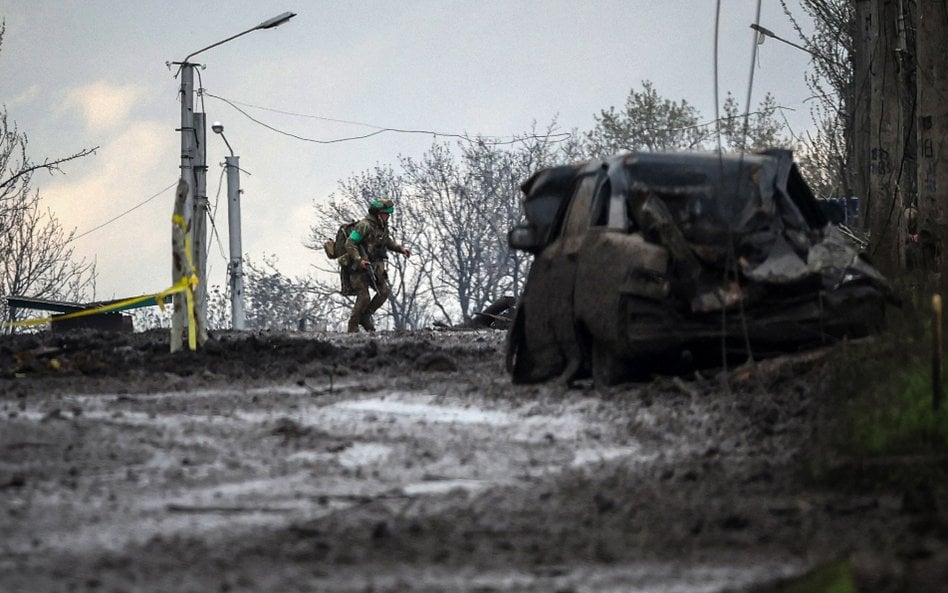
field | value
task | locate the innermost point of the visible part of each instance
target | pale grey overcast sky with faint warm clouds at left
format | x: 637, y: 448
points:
x: 81, y: 73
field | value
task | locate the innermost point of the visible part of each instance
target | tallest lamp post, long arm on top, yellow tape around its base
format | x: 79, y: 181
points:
x: 195, y: 199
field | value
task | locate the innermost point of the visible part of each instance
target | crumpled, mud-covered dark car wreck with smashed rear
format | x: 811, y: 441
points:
x: 652, y: 263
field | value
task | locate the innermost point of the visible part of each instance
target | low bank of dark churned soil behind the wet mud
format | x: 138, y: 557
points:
x: 104, y: 360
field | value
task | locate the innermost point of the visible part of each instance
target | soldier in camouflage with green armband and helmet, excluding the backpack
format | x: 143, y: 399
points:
x: 367, y: 247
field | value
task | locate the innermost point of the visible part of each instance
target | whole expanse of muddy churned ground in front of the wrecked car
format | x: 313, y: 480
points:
x: 408, y: 462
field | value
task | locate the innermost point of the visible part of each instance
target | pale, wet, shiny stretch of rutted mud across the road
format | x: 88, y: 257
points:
x: 201, y: 477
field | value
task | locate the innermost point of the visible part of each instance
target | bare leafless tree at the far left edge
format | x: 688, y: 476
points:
x: 36, y: 258
